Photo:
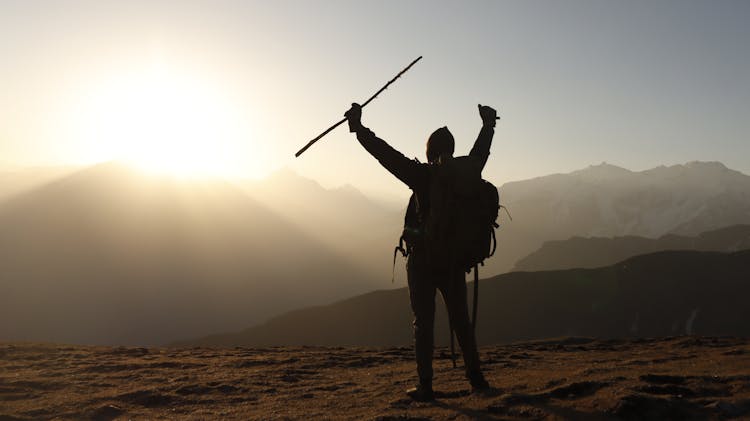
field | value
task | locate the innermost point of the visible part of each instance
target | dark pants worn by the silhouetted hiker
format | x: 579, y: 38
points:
x: 424, y: 279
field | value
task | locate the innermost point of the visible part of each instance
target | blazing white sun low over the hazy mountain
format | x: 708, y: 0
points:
x: 167, y: 122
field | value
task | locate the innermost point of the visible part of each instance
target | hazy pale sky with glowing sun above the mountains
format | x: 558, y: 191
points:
x: 244, y: 84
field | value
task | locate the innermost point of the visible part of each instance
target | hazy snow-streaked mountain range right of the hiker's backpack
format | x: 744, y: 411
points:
x: 606, y: 201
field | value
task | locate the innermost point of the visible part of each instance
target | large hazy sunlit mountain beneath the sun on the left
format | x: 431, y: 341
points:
x: 109, y: 255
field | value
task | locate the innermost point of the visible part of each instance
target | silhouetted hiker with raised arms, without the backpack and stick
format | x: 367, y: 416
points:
x: 426, y: 275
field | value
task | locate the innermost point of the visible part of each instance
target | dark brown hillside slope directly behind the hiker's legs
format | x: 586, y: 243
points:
x: 660, y: 294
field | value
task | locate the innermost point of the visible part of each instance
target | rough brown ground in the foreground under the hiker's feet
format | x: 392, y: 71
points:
x: 572, y: 378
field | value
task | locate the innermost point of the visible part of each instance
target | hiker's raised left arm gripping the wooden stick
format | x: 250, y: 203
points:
x: 394, y: 161
